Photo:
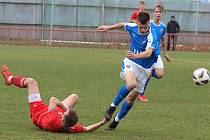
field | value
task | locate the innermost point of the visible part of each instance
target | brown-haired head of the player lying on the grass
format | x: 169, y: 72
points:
x: 70, y: 118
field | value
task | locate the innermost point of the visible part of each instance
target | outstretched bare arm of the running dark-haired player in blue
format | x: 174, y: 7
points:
x: 104, y: 28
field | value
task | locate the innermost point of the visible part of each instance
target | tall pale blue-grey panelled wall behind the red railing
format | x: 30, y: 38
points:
x: 192, y: 16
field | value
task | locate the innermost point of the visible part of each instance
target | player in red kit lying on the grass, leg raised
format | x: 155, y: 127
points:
x: 58, y: 116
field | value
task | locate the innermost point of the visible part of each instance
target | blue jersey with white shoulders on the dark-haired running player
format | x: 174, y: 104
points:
x: 141, y: 42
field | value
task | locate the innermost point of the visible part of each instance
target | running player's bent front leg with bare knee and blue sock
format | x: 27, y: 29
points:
x: 130, y: 80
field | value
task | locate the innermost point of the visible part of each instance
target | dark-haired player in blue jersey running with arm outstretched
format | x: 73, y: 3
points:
x: 136, y: 67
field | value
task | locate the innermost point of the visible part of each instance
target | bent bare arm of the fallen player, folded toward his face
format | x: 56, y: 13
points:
x: 54, y: 102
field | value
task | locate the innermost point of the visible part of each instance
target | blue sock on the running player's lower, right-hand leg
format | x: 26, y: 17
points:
x: 124, y: 110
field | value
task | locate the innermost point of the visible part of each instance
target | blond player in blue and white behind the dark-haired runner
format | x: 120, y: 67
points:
x: 160, y: 28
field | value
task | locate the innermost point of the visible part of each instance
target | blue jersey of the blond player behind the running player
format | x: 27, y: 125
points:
x: 160, y: 31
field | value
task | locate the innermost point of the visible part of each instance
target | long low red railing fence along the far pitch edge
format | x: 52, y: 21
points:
x: 88, y: 38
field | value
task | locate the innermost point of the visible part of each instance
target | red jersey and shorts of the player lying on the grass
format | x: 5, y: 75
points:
x: 50, y: 121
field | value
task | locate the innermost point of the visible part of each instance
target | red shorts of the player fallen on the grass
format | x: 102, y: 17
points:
x: 37, y: 109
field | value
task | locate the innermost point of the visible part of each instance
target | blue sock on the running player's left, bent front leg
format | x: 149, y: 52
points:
x: 123, y: 92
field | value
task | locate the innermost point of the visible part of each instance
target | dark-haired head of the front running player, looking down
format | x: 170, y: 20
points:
x: 143, y: 22
